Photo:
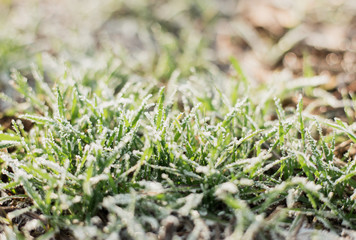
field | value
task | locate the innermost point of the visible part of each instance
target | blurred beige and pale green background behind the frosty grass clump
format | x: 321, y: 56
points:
x: 271, y: 39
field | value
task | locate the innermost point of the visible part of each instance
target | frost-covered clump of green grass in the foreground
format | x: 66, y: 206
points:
x: 139, y: 161
